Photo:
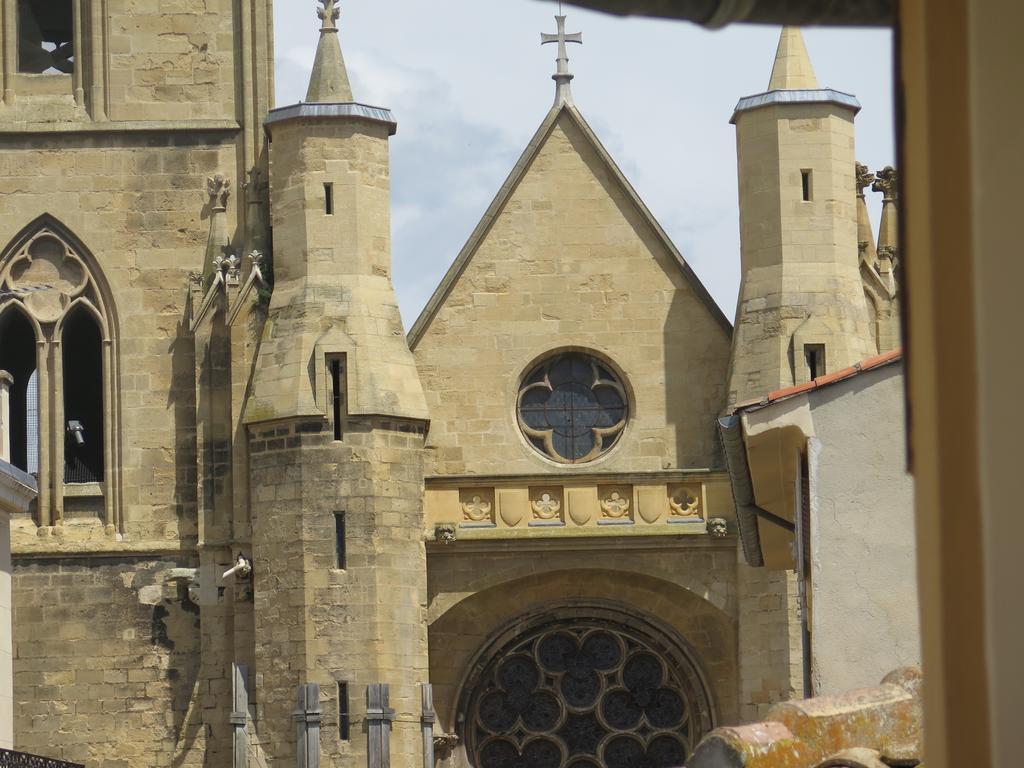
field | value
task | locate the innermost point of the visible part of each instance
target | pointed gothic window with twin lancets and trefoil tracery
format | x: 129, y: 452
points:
x: 59, y: 344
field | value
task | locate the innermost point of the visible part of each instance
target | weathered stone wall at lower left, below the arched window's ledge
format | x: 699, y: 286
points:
x: 107, y: 663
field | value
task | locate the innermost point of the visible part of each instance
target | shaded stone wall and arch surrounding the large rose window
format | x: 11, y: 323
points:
x: 478, y: 591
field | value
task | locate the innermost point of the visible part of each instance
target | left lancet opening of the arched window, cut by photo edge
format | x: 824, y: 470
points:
x: 18, y: 358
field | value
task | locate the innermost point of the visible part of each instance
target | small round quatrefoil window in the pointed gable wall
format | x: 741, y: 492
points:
x: 573, y: 408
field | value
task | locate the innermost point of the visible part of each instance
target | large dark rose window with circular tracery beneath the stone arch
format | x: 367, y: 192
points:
x: 587, y: 695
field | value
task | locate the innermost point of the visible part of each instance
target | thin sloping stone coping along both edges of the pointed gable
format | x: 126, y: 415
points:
x: 505, y: 194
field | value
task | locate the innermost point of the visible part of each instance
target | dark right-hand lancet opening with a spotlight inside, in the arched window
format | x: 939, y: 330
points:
x: 83, y: 399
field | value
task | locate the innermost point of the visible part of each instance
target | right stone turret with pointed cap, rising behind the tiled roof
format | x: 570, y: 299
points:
x: 802, y: 312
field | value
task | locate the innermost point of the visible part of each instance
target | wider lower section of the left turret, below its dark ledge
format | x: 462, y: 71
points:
x: 317, y: 622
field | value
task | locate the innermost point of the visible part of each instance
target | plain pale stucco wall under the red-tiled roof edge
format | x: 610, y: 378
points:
x: 864, y: 580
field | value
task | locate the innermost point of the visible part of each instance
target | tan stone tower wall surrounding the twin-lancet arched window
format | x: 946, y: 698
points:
x: 140, y: 206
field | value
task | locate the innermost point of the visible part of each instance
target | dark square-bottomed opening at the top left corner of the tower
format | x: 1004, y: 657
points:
x: 46, y: 37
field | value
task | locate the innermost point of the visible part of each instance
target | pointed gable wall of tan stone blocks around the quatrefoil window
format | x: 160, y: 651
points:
x: 571, y: 263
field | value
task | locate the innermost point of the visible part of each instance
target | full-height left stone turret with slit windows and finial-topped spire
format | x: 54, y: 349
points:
x: 336, y: 419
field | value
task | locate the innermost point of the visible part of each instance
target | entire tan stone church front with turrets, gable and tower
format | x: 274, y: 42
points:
x: 273, y: 529
